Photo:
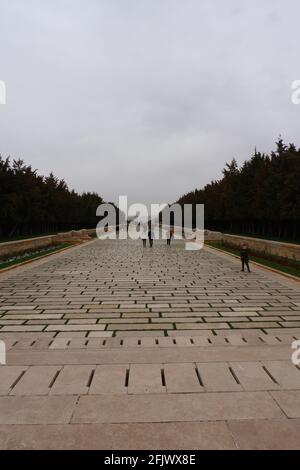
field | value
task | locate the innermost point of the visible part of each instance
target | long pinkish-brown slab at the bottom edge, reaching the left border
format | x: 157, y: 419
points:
x: 145, y: 436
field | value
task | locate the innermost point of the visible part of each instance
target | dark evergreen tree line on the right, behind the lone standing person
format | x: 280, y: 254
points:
x: 260, y: 198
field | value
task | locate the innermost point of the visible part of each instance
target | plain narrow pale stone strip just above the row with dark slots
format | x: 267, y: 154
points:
x: 149, y: 355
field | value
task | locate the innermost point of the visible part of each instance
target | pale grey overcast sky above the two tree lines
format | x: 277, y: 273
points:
x: 146, y: 98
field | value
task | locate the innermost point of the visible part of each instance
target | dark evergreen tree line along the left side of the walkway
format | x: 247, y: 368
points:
x: 35, y: 204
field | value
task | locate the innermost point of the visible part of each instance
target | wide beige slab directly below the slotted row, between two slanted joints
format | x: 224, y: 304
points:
x: 176, y: 407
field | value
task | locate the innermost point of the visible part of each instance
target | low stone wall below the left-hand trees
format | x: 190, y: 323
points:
x: 14, y: 248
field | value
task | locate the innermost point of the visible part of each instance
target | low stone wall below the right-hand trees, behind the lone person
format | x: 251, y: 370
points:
x: 285, y: 250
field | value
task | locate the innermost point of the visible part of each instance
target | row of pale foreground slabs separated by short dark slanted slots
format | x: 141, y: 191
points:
x: 137, y: 379
